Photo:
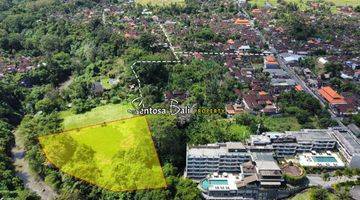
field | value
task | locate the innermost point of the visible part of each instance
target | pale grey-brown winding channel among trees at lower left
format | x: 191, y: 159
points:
x: 31, y: 181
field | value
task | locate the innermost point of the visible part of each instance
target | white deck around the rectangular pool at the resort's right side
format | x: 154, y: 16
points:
x: 307, y: 160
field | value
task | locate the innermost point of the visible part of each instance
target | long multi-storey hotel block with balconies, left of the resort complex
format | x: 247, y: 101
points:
x: 220, y: 157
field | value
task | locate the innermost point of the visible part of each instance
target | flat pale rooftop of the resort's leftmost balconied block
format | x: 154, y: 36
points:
x: 215, y: 149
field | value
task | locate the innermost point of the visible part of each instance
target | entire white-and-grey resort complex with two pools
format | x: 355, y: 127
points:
x: 234, y: 171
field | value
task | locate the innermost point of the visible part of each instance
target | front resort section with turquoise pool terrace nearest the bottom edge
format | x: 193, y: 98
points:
x: 259, y: 179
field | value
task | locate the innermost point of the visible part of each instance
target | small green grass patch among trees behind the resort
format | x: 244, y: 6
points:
x: 282, y: 123
